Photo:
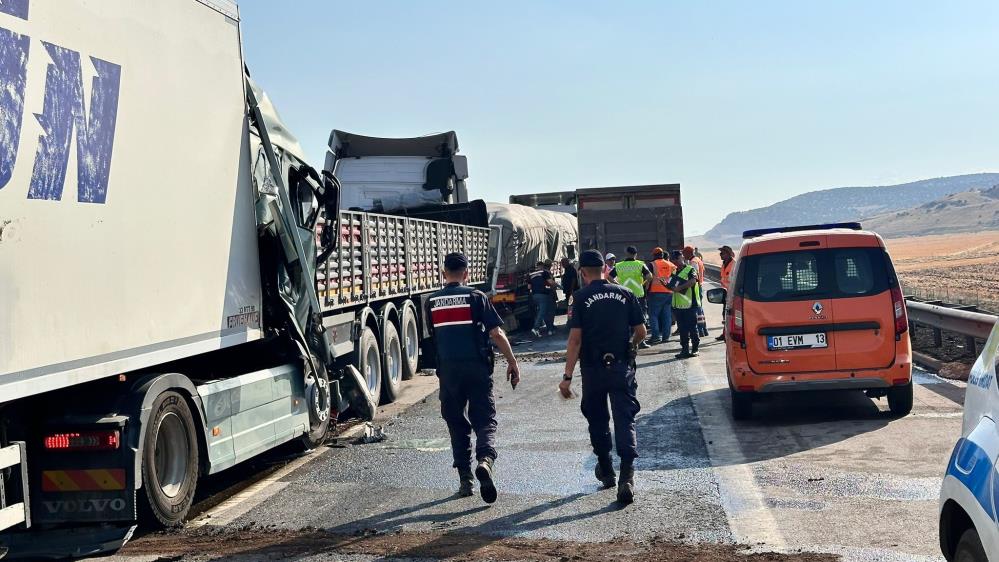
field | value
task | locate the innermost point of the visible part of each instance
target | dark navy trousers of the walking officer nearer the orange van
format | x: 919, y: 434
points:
x: 616, y: 383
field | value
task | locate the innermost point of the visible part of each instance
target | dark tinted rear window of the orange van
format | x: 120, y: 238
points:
x: 815, y: 274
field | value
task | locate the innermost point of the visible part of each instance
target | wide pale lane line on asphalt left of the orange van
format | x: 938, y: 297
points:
x: 749, y: 518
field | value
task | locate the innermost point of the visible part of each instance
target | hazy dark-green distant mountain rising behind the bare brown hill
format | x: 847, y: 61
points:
x: 846, y: 204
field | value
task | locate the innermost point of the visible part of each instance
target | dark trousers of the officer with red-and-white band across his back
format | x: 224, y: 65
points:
x: 468, y: 386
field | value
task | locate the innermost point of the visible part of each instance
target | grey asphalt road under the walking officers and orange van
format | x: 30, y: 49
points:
x: 825, y: 473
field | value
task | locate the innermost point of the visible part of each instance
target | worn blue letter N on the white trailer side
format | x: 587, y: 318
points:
x: 63, y: 111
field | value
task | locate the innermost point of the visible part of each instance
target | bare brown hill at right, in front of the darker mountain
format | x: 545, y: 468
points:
x: 968, y: 211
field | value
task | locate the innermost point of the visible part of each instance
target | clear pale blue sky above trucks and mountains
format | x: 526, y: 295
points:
x: 743, y: 103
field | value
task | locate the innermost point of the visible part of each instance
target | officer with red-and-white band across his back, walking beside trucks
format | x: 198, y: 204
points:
x: 462, y: 322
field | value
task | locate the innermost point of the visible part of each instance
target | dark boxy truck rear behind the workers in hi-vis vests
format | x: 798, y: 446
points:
x: 644, y: 216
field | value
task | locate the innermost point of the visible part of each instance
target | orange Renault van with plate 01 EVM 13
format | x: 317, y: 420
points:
x: 816, y: 307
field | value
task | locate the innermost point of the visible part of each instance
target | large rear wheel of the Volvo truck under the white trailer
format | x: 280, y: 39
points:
x: 169, y: 460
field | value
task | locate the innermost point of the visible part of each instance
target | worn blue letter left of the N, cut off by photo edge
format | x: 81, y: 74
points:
x: 13, y: 67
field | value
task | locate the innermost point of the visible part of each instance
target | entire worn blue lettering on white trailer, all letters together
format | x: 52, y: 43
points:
x: 63, y: 111
